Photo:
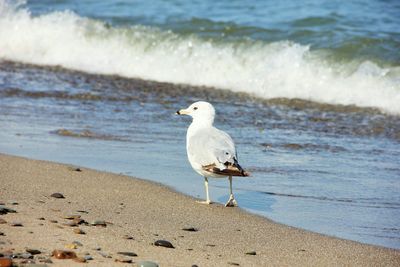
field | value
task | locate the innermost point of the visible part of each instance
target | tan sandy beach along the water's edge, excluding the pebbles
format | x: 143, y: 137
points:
x: 147, y: 212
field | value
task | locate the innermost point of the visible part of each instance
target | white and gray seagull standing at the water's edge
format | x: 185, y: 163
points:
x: 211, y: 152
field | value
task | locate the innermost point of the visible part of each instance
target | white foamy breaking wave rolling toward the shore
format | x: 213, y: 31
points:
x: 281, y: 69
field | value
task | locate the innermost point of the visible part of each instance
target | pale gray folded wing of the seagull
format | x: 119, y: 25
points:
x: 212, y: 146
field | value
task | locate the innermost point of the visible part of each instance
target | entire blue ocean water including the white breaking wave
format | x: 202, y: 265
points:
x: 309, y: 91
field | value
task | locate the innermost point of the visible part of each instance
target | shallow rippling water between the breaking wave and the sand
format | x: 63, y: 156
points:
x: 329, y: 169
